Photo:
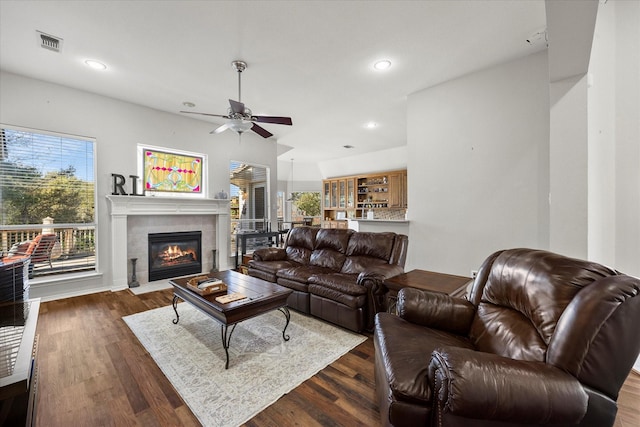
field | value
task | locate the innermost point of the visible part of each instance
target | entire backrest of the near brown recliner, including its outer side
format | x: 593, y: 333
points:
x: 577, y: 315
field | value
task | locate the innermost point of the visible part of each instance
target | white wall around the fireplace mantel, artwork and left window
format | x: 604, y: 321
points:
x: 117, y: 127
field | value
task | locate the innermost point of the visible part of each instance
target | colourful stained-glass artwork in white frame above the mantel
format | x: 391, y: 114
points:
x: 165, y: 171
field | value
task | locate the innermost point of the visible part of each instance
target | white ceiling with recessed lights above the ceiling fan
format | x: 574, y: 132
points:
x: 311, y: 60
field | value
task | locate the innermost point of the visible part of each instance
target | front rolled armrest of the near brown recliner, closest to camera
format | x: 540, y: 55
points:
x: 473, y: 384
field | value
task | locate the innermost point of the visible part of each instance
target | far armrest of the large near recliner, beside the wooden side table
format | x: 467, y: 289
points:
x: 435, y: 310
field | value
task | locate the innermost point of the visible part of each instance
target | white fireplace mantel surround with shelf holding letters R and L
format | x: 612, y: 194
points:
x: 123, y: 206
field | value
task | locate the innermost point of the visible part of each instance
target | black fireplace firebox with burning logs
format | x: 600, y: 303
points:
x: 174, y: 254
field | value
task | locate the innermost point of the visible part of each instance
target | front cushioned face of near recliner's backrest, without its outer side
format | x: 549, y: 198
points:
x: 523, y: 296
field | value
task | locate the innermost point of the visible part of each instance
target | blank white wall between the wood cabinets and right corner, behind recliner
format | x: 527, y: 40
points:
x: 478, y: 166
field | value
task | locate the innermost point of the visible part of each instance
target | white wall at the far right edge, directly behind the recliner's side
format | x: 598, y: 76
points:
x: 614, y: 132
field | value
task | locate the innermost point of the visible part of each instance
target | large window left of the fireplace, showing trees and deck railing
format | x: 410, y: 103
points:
x: 47, y: 187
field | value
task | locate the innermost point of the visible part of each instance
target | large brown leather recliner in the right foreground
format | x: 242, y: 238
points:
x: 542, y: 340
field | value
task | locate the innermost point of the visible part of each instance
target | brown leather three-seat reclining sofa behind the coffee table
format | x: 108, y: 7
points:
x: 335, y: 274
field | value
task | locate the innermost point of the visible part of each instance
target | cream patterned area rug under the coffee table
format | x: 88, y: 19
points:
x: 262, y: 366
